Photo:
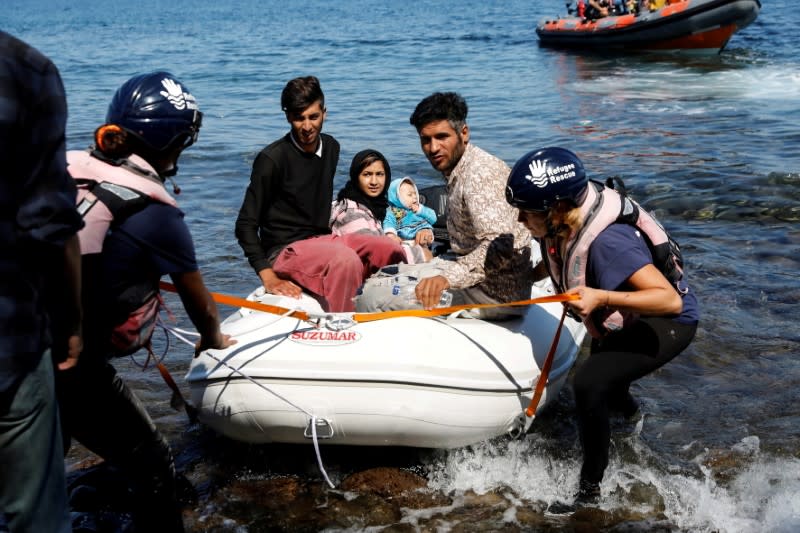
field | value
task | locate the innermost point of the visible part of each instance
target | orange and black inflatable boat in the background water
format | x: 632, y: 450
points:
x: 696, y: 26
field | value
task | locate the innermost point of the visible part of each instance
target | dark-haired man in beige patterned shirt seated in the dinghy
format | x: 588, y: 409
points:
x: 493, y: 249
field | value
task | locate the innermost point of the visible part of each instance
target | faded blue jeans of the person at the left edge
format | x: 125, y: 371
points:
x: 33, y: 494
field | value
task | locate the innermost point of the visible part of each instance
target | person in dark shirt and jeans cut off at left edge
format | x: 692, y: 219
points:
x: 38, y: 226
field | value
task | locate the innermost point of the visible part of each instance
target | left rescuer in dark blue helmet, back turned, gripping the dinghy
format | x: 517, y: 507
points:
x: 152, y: 118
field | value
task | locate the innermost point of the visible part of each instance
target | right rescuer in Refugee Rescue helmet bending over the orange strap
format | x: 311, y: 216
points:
x: 634, y: 299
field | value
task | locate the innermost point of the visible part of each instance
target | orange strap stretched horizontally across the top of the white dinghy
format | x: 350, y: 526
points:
x: 371, y: 317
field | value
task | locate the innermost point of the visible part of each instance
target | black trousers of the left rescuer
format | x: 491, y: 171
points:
x: 102, y: 413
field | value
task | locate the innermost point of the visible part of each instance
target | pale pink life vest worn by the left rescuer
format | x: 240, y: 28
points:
x: 127, y: 184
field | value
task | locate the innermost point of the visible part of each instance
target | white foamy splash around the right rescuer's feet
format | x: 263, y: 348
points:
x: 764, y: 497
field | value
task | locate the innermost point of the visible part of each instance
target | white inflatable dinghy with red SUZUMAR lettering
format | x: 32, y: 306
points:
x: 439, y: 382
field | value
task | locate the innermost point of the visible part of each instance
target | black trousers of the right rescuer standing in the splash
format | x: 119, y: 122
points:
x: 603, y: 380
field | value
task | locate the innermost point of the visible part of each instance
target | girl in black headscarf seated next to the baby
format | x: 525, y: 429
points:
x: 362, y: 204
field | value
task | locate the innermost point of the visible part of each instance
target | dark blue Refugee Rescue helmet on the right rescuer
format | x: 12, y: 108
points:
x: 543, y: 176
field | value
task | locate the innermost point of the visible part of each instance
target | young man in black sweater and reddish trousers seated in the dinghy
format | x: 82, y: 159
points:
x: 283, y: 224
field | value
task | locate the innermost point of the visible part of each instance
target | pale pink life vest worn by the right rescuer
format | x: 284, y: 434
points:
x: 602, y: 207
